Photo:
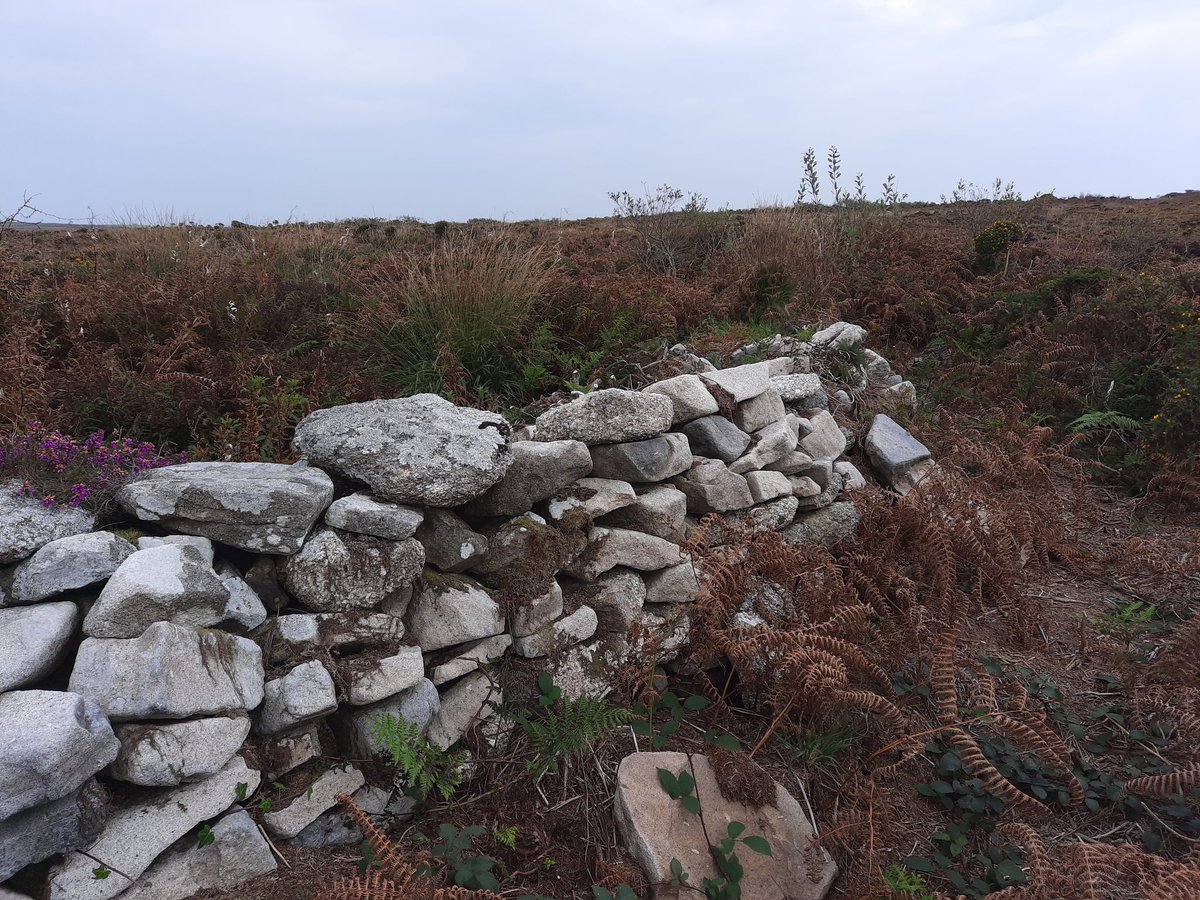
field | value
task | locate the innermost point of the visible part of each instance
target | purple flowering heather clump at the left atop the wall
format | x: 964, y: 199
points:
x: 59, y: 470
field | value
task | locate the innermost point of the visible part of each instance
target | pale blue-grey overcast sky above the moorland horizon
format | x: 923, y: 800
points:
x: 261, y: 110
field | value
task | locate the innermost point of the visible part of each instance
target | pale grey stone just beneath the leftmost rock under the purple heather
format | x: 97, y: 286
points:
x: 69, y: 565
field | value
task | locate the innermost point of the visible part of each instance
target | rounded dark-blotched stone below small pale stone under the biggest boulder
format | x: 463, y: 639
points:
x: 337, y: 571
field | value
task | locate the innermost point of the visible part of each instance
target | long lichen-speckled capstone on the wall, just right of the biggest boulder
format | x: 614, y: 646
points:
x: 608, y: 417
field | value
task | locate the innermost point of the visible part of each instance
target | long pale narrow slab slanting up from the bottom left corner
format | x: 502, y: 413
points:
x: 139, y: 833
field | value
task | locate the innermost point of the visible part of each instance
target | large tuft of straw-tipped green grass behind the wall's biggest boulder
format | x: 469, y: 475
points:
x: 460, y: 321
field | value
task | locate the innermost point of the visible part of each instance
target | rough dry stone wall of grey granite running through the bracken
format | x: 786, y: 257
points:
x: 271, y: 615
